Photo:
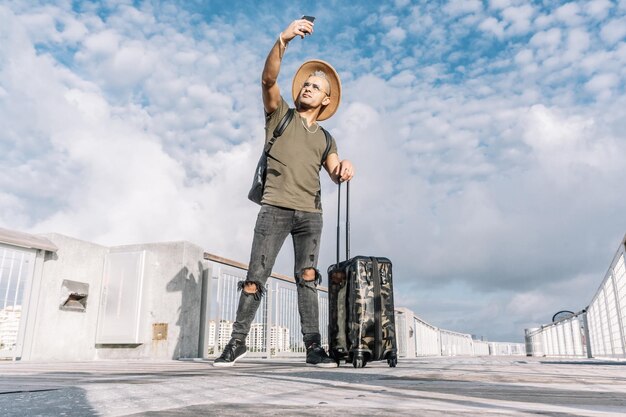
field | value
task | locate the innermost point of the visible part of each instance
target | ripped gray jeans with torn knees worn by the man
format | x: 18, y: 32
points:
x: 273, y: 225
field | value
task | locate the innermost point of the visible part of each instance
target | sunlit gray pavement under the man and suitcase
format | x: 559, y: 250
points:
x: 455, y: 386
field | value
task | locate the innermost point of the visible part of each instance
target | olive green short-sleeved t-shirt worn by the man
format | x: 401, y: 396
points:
x: 293, y: 170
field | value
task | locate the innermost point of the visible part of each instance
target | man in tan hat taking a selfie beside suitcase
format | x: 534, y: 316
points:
x: 291, y: 201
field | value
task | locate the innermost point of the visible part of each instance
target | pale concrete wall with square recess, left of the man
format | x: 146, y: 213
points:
x: 172, y: 295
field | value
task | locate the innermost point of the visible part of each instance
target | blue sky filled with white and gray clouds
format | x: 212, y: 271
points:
x: 488, y: 136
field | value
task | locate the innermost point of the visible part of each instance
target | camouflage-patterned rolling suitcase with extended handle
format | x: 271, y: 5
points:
x: 361, y: 325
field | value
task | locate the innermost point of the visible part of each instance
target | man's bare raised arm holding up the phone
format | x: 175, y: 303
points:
x: 271, y: 92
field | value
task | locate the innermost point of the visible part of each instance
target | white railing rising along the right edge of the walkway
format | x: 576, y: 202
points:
x: 596, y: 331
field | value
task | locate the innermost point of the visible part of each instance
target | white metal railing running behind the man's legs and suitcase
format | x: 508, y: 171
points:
x: 276, y: 328
